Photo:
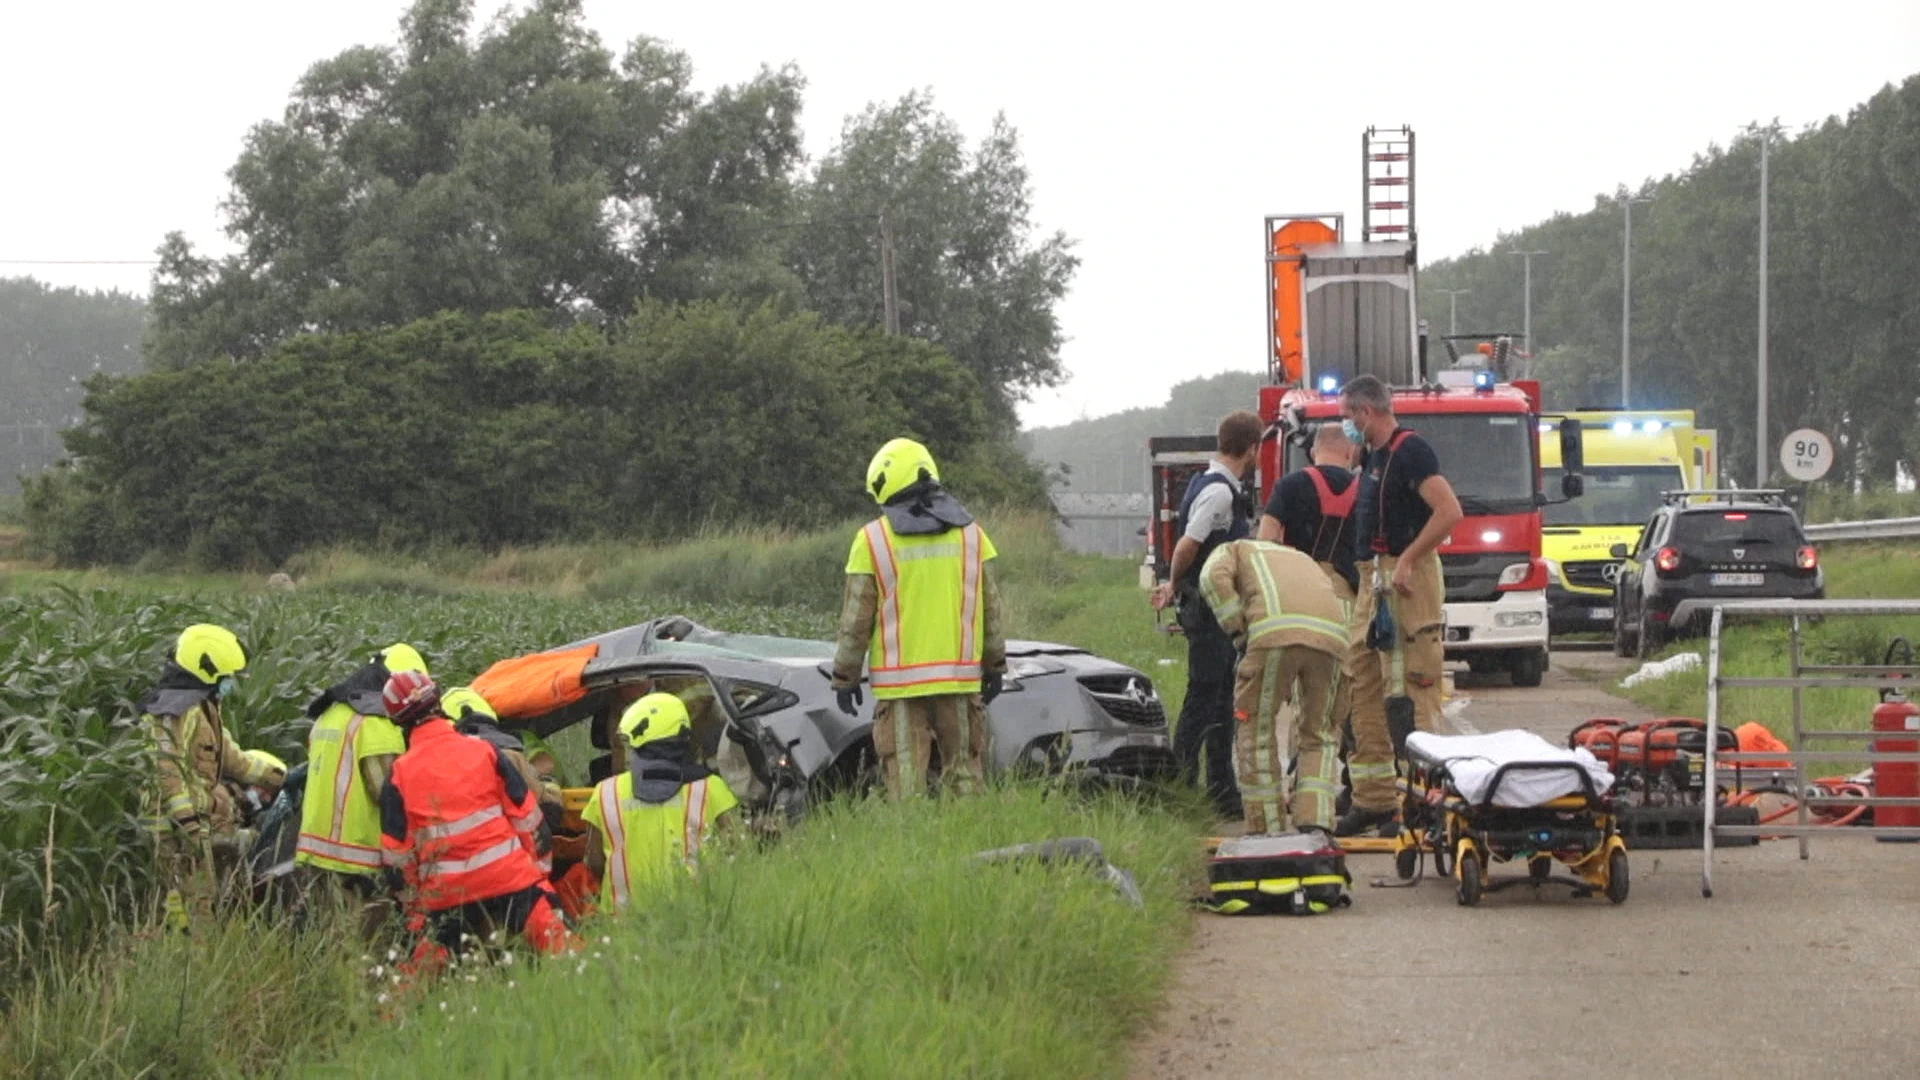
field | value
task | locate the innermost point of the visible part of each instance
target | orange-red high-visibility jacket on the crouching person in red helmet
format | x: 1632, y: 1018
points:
x: 458, y: 820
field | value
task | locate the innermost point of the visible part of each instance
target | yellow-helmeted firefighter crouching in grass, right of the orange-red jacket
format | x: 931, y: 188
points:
x: 660, y: 816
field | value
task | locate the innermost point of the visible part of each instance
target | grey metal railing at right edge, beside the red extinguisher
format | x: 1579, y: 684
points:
x: 1800, y: 679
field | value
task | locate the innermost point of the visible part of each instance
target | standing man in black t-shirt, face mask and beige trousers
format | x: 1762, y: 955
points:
x: 1404, y: 512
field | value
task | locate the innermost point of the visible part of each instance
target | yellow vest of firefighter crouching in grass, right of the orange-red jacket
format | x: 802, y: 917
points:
x: 648, y: 843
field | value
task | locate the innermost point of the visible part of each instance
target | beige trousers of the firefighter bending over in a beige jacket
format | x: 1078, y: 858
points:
x: 1285, y: 691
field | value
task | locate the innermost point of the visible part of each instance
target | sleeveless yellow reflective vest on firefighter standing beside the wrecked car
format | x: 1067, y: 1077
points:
x: 930, y: 626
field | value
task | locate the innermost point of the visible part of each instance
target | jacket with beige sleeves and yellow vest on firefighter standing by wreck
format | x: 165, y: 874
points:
x: 923, y: 610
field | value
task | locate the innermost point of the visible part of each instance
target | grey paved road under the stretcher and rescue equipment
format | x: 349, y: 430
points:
x: 1792, y: 970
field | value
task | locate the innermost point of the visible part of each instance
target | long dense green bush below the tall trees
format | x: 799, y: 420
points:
x: 502, y: 430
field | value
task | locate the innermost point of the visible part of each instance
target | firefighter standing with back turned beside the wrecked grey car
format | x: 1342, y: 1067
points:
x: 924, y: 616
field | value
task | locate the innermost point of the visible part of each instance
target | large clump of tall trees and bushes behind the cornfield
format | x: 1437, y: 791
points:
x: 577, y: 222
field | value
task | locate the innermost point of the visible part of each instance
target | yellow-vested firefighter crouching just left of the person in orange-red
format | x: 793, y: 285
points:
x: 350, y: 754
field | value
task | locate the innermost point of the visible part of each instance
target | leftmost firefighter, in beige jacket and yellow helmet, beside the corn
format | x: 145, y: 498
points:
x: 189, y: 808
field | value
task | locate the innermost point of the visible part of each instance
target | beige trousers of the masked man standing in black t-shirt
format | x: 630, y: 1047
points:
x: 1412, y: 668
